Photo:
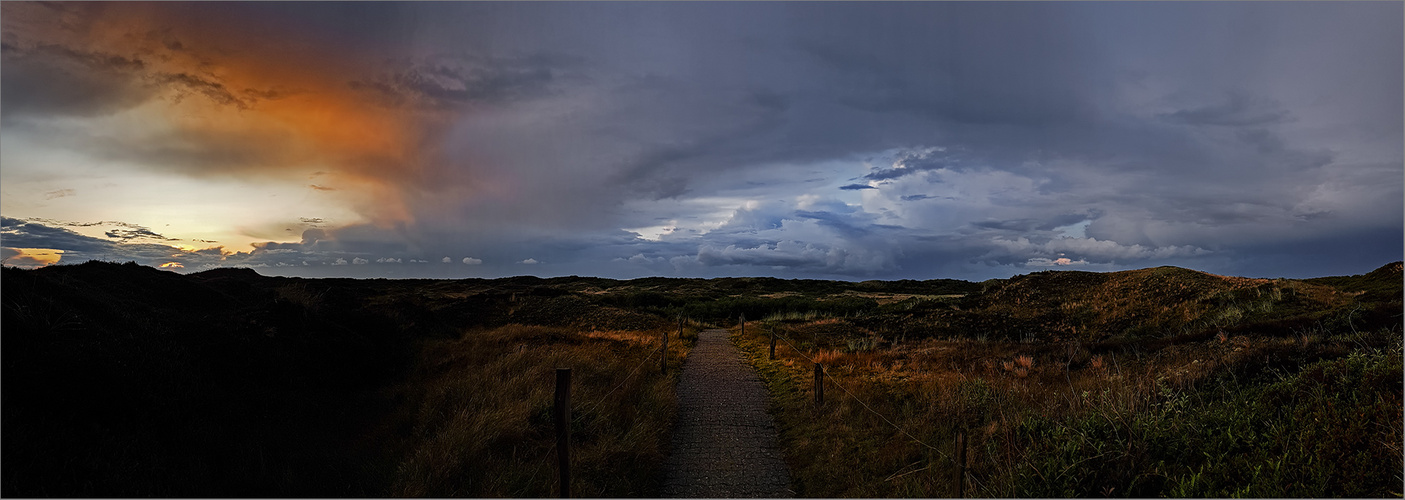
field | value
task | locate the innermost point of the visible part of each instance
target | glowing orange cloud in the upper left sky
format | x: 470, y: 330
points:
x: 248, y: 99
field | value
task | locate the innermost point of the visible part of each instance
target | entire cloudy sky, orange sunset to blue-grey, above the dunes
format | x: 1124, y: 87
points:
x: 832, y: 141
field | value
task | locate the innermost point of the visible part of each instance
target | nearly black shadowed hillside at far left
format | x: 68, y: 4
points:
x: 129, y: 381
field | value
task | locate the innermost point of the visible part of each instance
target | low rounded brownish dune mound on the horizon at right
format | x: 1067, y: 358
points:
x: 1154, y: 303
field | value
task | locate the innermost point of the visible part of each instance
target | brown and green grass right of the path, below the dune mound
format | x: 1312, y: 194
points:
x: 1240, y: 416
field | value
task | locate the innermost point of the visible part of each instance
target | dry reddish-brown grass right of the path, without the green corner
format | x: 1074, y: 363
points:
x: 997, y: 391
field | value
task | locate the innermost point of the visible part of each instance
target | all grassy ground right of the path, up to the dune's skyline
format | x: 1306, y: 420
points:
x: 1248, y: 388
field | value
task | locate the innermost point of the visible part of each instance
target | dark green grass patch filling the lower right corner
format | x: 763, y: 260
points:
x: 1333, y: 429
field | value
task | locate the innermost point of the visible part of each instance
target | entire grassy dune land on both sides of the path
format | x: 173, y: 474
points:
x: 129, y: 381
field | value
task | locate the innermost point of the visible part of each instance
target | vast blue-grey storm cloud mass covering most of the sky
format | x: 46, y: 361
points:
x: 983, y: 127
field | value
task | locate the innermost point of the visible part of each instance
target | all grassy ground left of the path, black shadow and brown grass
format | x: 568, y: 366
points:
x: 123, y: 381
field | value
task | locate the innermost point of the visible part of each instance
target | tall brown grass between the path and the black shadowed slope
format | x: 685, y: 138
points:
x: 477, y: 415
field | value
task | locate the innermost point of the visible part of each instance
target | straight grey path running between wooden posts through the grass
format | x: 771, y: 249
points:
x: 724, y: 442
